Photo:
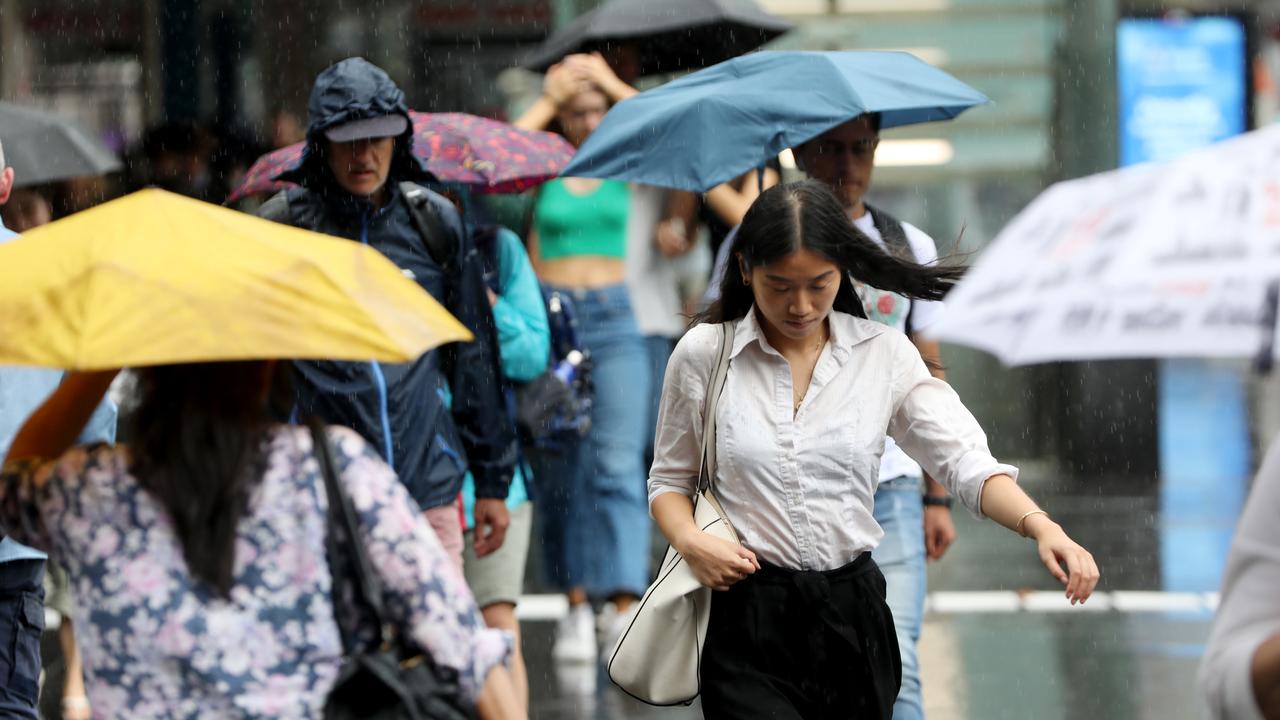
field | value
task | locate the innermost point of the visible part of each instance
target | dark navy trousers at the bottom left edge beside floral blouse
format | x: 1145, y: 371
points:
x: 22, y: 621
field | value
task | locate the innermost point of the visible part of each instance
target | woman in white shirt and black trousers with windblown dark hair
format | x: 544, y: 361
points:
x: 801, y: 627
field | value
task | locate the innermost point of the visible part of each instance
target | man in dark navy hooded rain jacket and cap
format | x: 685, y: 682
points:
x: 356, y: 180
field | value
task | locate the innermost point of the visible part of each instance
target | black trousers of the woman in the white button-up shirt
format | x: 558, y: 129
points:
x: 788, y: 645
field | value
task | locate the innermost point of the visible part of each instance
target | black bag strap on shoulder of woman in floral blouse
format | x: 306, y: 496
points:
x: 342, y: 518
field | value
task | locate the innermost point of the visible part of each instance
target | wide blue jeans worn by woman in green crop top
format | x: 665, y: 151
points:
x: 593, y: 500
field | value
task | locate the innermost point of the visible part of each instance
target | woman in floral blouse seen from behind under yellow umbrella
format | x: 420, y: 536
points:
x: 198, y: 553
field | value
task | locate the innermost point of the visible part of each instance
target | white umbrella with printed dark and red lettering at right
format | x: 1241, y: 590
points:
x: 1159, y: 261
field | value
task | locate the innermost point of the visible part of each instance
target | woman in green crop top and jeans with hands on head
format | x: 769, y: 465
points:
x: 582, y: 244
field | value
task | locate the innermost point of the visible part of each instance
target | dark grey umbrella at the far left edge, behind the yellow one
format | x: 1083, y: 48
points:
x: 44, y: 148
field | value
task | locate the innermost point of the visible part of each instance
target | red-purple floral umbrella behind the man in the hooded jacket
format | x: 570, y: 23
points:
x: 491, y: 157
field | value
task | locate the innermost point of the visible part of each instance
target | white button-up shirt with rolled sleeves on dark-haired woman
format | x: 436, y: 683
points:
x: 799, y: 491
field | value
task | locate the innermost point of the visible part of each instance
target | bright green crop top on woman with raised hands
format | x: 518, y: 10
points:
x: 574, y: 225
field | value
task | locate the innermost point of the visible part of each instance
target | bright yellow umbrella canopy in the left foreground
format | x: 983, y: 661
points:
x: 157, y: 279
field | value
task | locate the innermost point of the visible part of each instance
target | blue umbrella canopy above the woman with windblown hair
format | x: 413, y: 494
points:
x: 714, y: 126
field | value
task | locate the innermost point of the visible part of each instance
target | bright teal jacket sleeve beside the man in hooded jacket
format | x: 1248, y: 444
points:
x: 524, y: 336
